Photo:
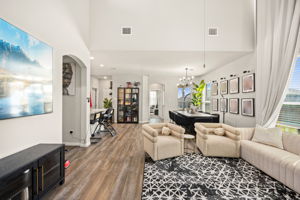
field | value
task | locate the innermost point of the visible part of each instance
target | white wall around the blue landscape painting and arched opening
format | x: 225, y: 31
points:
x: 52, y: 22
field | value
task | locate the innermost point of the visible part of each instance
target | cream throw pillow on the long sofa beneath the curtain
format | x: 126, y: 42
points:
x: 269, y: 136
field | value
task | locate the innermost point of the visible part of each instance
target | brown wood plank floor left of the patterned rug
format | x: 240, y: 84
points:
x: 110, y: 169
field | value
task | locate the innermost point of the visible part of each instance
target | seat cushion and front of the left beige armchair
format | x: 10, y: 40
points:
x: 168, y: 146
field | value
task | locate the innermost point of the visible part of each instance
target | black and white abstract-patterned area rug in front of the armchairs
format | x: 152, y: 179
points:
x: 194, y: 176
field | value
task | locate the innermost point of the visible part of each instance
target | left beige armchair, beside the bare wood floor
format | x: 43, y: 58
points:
x: 160, y: 146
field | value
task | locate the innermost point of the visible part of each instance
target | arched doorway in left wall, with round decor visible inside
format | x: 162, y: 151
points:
x: 75, y: 105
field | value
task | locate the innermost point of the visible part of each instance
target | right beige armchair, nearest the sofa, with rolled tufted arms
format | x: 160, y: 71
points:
x: 210, y: 144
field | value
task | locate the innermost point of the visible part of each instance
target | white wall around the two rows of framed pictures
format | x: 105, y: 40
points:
x: 237, y: 67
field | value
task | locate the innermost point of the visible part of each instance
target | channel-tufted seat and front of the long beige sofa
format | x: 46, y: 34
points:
x: 271, y: 160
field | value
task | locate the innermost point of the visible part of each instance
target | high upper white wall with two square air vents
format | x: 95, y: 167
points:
x: 174, y: 25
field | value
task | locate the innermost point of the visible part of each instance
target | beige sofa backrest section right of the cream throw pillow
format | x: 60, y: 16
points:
x: 291, y: 142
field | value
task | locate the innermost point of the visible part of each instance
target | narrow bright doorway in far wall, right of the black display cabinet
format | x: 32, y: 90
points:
x: 156, y: 102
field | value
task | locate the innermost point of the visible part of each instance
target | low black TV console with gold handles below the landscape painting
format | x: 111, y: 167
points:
x: 31, y: 173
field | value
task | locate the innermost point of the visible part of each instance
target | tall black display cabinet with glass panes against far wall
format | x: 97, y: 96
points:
x: 128, y: 105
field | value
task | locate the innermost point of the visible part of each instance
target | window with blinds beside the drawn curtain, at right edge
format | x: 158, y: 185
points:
x: 289, y: 117
